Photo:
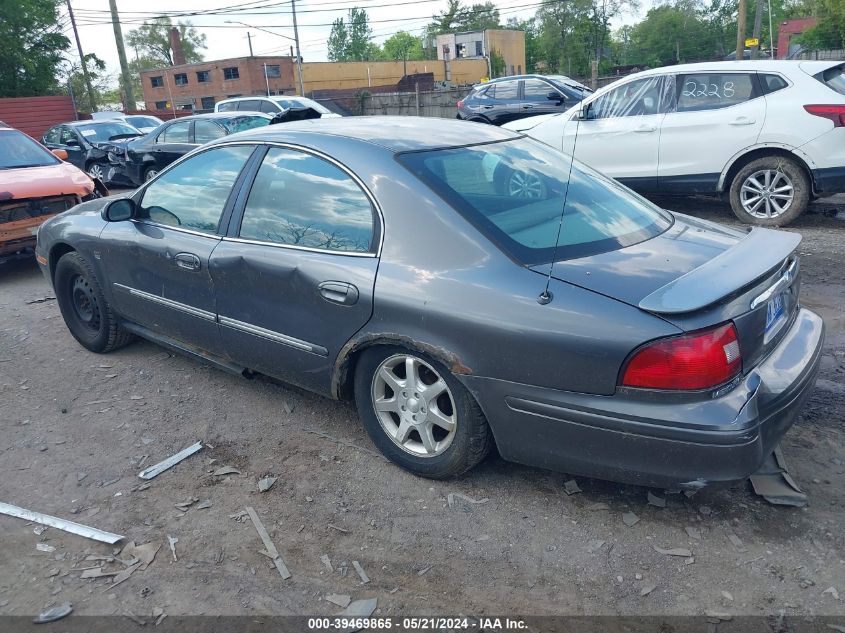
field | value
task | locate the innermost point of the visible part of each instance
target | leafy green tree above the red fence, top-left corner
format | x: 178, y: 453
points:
x: 32, y: 47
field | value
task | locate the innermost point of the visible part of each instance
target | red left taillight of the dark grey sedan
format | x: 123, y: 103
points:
x: 701, y: 360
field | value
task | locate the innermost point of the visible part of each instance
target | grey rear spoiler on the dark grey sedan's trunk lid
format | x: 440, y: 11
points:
x: 755, y: 254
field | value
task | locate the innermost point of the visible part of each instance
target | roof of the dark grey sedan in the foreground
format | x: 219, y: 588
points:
x: 394, y: 133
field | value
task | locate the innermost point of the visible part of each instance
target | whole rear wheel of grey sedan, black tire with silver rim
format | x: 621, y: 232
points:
x: 418, y: 414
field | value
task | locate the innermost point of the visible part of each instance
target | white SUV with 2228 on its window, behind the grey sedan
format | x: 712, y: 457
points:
x: 768, y: 134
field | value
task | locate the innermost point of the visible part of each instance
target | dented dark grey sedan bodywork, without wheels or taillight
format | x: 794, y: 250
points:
x: 435, y: 278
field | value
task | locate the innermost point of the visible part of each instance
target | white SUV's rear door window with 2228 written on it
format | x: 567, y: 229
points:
x: 713, y: 91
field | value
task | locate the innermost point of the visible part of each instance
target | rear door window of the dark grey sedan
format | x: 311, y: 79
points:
x: 302, y: 200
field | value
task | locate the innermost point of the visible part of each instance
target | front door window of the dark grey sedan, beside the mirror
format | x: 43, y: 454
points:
x: 193, y: 194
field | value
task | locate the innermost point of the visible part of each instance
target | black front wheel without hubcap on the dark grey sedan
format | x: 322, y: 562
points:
x: 85, y: 310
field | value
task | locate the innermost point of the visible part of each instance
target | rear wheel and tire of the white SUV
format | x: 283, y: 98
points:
x: 770, y: 191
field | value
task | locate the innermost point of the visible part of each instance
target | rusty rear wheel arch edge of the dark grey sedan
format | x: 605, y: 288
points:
x: 343, y: 372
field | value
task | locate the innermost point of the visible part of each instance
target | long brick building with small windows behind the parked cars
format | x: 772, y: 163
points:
x: 199, y: 86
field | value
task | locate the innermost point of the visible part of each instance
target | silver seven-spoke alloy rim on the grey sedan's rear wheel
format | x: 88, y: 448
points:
x: 414, y: 405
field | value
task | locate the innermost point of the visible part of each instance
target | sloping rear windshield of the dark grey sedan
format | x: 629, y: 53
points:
x: 514, y: 192
